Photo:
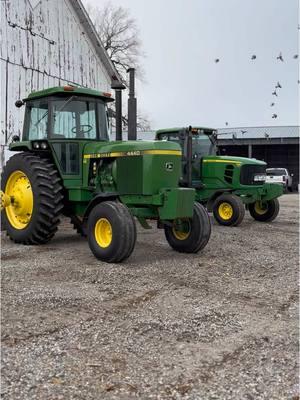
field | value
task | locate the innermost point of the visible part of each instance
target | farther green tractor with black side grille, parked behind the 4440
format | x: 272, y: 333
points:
x: 225, y: 185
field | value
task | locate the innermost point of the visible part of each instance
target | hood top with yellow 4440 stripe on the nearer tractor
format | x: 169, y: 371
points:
x: 130, y: 148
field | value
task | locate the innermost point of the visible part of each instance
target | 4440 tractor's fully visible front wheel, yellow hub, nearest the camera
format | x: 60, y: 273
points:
x: 111, y: 232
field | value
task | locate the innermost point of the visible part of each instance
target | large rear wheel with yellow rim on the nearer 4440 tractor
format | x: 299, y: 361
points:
x: 32, y: 199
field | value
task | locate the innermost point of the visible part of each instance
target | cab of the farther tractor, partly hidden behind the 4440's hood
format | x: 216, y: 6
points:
x: 196, y: 143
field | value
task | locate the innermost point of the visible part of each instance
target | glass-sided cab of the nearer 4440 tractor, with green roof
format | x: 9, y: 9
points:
x: 63, y: 120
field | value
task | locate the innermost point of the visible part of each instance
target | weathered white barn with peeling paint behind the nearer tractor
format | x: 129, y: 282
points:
x: 46, y: 43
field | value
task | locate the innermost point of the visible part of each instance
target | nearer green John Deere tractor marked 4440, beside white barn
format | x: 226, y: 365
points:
x: 66, y: 165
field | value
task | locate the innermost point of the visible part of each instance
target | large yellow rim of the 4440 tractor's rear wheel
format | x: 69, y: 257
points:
x: 18, y: 189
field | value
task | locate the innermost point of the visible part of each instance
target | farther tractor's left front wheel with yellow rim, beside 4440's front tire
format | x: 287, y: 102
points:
x: 228, y: 210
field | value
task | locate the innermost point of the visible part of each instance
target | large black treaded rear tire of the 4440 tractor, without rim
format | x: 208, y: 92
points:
x: 47, y: 198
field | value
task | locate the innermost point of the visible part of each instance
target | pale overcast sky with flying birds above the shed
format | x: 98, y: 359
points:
x: 182, y: 38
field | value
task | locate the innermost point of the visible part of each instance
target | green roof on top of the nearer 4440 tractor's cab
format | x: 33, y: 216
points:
x: 67, y: 91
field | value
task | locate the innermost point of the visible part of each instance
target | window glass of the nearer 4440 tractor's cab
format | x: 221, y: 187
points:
x: 71, y: 118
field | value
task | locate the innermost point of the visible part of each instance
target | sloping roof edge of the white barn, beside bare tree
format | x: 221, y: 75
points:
x: 95, y: 39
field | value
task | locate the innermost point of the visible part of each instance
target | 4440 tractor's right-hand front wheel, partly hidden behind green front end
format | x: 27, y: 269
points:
x: 190, y: 235
